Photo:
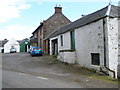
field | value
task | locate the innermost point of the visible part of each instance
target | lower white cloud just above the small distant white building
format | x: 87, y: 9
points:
x: 17, y: 31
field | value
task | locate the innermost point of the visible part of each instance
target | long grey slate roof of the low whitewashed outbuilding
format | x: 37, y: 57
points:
x: 110, y: 9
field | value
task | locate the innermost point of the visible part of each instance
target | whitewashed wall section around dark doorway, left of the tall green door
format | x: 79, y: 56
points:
x: 68, y: 57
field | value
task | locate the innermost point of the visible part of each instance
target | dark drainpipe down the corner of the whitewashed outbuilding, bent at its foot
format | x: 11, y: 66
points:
x: 104, y: 38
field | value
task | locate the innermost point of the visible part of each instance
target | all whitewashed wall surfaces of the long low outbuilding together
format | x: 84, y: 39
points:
x: 90, y: 39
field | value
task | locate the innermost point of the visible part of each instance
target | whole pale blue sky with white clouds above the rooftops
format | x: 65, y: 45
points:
x: 19, y: 18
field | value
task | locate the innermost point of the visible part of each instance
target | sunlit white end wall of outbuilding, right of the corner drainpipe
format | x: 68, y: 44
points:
x: 112, y: 43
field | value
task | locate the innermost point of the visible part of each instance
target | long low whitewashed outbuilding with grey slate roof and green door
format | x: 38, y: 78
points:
x: 91, y: 41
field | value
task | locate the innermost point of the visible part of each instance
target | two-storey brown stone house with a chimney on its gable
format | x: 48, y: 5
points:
x: 57, y: 20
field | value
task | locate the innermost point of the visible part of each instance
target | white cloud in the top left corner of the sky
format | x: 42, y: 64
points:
x: 11, y: 9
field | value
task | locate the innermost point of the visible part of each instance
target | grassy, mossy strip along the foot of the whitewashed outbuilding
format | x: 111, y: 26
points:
x: 78, y: 70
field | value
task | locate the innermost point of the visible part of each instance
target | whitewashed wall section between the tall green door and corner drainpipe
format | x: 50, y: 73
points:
x: 89, y: 39
